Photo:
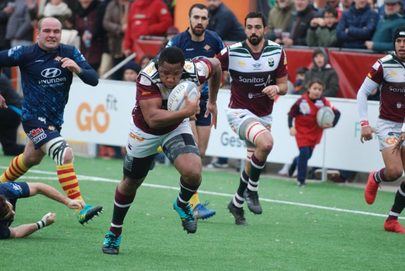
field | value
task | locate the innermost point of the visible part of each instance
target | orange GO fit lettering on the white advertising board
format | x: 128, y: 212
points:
x: 98, y: 119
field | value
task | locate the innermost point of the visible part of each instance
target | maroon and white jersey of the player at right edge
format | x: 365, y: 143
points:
x: 389, y: 73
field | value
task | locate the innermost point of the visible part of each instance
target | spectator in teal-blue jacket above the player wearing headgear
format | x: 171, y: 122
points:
x: 392, y: 19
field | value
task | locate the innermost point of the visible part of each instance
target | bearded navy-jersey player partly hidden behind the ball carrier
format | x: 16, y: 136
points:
x: 196, y: 42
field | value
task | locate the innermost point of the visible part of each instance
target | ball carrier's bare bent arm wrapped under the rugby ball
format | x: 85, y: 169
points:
x: 156, y: 117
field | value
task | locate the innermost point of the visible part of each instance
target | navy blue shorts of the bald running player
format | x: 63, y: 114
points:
x: 40, y: 132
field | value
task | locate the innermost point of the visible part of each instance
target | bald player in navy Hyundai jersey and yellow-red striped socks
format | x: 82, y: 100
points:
x: 47, y: 69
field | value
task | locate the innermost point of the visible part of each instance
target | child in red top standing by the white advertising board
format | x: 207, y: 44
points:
x: 306, y: 130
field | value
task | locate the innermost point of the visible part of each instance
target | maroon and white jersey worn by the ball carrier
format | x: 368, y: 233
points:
x: 149, y: 86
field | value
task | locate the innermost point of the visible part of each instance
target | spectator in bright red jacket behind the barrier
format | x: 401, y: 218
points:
x: 145, y: 17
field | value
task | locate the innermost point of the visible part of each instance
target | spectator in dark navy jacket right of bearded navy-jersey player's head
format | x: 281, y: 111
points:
x: 224, y: 22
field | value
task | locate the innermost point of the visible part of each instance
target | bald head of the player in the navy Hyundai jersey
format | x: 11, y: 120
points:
x: 49, y: 33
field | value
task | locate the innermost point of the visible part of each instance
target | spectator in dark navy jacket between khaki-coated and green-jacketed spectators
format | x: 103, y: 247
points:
x: 304, y: 13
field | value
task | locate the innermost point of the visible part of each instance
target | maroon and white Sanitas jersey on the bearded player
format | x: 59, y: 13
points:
x: 250, y: 73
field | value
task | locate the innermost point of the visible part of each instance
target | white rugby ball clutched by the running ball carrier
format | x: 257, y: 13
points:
x: 175, y: 101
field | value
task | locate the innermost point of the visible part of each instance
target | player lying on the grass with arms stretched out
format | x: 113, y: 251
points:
x: 9, y: 194
